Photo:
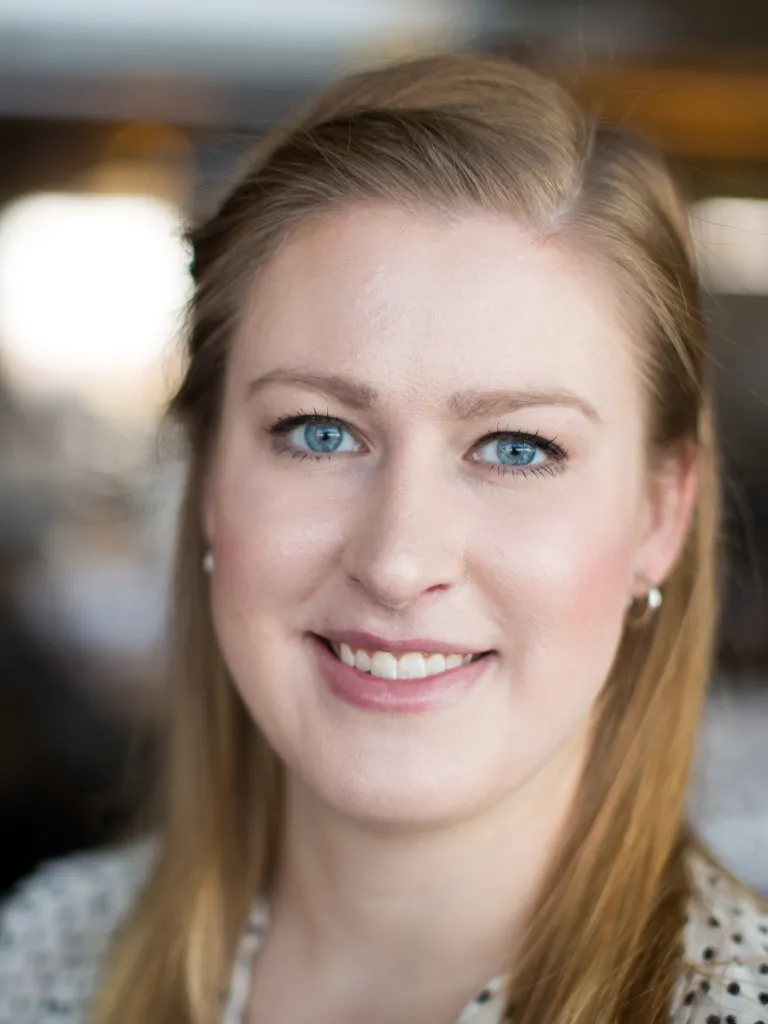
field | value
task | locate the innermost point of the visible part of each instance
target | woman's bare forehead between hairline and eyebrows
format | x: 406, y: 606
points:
x: 411, y: 302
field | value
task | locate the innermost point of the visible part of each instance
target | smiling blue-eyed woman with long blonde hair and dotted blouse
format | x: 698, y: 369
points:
x: 446, y: 598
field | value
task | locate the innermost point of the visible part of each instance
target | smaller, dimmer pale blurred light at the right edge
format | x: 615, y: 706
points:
x: 732, y: 238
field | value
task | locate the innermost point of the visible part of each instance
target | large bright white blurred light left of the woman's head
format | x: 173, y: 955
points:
x: 93, y: 288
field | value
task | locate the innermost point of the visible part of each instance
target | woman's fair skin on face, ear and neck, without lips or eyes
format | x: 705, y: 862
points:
x: 416, y: 843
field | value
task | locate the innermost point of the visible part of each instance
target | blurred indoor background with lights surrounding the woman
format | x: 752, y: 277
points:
x: 121, y: 121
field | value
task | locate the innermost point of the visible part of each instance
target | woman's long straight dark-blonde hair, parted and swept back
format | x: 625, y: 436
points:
x: 454, y: 133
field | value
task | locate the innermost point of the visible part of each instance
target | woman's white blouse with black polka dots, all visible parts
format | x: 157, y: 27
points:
x: 57, y: 927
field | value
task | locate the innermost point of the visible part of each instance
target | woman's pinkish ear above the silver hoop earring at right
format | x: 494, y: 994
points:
x: 670, y: 501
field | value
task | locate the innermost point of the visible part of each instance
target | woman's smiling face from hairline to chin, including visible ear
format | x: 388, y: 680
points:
x: 460, y: 468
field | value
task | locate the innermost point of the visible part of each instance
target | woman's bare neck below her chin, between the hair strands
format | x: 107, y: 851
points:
x: 390, y: 907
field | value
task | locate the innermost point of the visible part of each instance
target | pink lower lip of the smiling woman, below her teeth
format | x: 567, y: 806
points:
x: 396, y: 696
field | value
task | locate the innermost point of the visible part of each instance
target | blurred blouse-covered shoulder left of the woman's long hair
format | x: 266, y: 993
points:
x: 56, y: 928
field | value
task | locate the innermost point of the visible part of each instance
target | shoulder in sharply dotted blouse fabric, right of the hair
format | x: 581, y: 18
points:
x: 727, y: 947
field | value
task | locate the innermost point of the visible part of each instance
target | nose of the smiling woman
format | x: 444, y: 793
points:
x: 408, y: 536
